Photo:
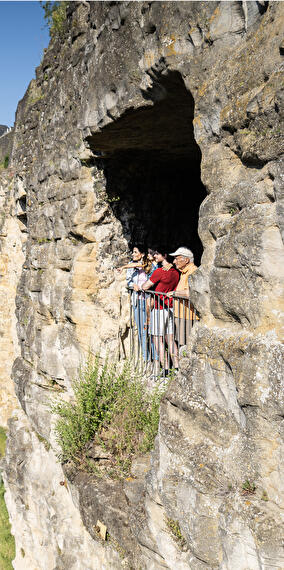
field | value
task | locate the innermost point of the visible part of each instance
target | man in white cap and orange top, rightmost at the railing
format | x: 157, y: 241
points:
x: 184, y: 262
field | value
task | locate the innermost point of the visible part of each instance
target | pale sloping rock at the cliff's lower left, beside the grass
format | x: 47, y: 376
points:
x: 49, y: 530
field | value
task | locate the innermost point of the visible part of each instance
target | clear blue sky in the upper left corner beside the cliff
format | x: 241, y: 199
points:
x: 23, y: 36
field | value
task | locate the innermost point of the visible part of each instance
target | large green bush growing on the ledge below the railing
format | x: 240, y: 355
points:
x: 113, y: 409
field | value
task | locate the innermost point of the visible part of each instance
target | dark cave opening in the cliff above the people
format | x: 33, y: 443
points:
x: 152, y: 168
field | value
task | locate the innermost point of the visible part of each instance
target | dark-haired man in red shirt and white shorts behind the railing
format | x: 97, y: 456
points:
x: 164, y: 279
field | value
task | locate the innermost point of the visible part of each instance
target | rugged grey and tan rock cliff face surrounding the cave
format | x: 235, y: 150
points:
x: 130, y: 103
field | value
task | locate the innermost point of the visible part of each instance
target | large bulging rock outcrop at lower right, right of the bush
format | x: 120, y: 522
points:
x: 221, y: 426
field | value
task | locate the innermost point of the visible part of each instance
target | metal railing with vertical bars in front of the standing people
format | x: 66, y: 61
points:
x: 160, y: 324
